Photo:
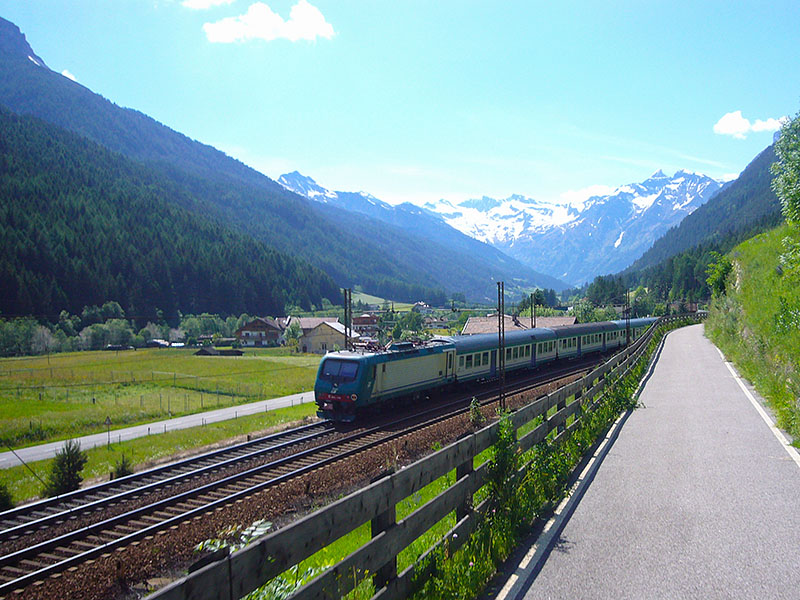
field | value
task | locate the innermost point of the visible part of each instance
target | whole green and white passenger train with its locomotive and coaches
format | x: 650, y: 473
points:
x: 350, y: 383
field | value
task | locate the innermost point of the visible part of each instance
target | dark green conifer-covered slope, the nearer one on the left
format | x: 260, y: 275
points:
x: 82, y: 225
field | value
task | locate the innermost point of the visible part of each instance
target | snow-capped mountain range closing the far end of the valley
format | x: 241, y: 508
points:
x: 573, y: 242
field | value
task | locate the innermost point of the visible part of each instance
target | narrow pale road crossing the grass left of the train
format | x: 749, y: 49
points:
x: 45, y: 451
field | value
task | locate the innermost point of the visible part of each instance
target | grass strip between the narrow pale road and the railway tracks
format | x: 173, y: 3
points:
x: 152, y: 449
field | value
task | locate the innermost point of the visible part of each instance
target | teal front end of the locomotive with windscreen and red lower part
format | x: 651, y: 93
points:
x: 341, y: 386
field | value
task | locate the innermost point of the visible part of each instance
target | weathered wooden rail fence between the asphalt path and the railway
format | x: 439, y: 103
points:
x: 235, y: 575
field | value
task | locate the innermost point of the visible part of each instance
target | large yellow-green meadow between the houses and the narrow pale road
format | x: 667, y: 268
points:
x: 55, y: 397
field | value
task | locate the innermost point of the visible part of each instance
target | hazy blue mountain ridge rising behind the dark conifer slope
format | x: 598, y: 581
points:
x: 383, y: 260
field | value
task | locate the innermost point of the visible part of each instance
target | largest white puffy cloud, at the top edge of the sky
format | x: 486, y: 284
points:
x: 305, y: 22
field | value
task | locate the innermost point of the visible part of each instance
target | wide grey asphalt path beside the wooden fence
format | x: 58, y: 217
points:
x: 693, y: 495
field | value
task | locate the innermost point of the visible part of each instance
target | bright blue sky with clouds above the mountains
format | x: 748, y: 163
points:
x: 418, y: 101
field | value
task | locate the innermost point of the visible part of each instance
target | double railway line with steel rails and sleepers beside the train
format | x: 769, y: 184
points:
x: 35, y: 561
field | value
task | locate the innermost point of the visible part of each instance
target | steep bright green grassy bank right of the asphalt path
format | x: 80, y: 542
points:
x: 757, y: 322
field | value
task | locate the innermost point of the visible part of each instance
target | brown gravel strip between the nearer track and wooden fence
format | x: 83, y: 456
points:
x: 141, y: 567
